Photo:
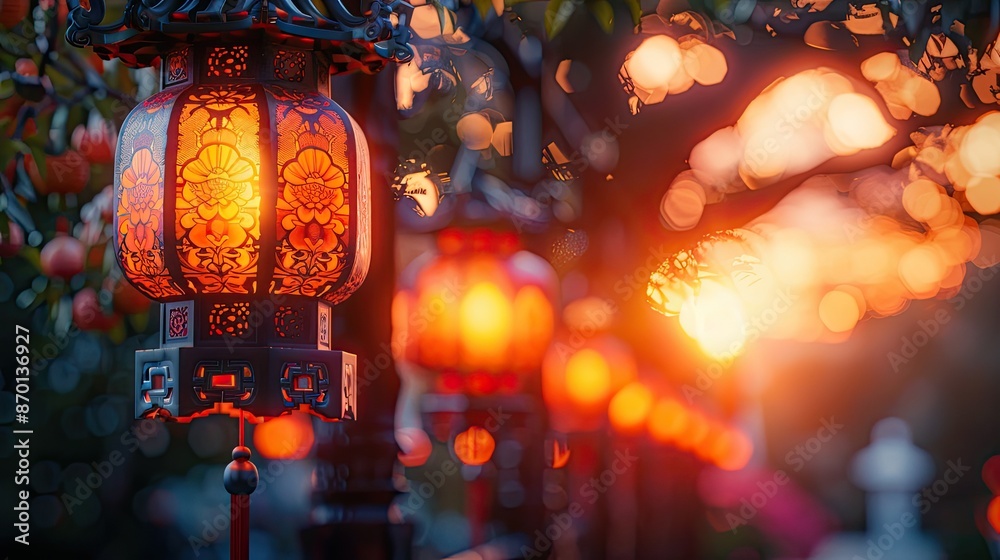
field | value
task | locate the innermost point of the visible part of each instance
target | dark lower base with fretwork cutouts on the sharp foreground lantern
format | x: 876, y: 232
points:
x: 185, y: 383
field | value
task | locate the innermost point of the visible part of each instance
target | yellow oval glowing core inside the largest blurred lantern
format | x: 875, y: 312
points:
x: 485, y: 318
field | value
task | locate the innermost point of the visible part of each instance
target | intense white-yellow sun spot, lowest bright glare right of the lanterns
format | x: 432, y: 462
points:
x: 715, y: 318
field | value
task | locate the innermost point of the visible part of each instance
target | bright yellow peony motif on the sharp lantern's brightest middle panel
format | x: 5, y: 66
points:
x: 218, y: 187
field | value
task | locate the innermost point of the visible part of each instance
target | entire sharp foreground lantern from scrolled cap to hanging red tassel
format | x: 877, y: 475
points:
x: 242, y: 203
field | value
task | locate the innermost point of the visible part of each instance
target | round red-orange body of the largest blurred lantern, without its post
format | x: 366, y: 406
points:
x: 481, y: 312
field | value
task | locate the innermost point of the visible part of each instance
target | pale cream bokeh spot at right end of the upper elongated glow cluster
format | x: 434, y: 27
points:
x: 856, y: 124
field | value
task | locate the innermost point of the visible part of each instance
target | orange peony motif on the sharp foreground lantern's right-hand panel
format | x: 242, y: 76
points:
x: 312, y: 196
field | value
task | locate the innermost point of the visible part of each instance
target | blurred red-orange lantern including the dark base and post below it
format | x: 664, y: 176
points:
x: 475, y: 318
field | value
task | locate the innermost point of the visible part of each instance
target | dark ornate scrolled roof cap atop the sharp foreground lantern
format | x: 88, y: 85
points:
x: 149, y: 28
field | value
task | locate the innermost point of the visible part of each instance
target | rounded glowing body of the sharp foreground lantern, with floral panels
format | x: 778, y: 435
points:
x: 258, y: 188
